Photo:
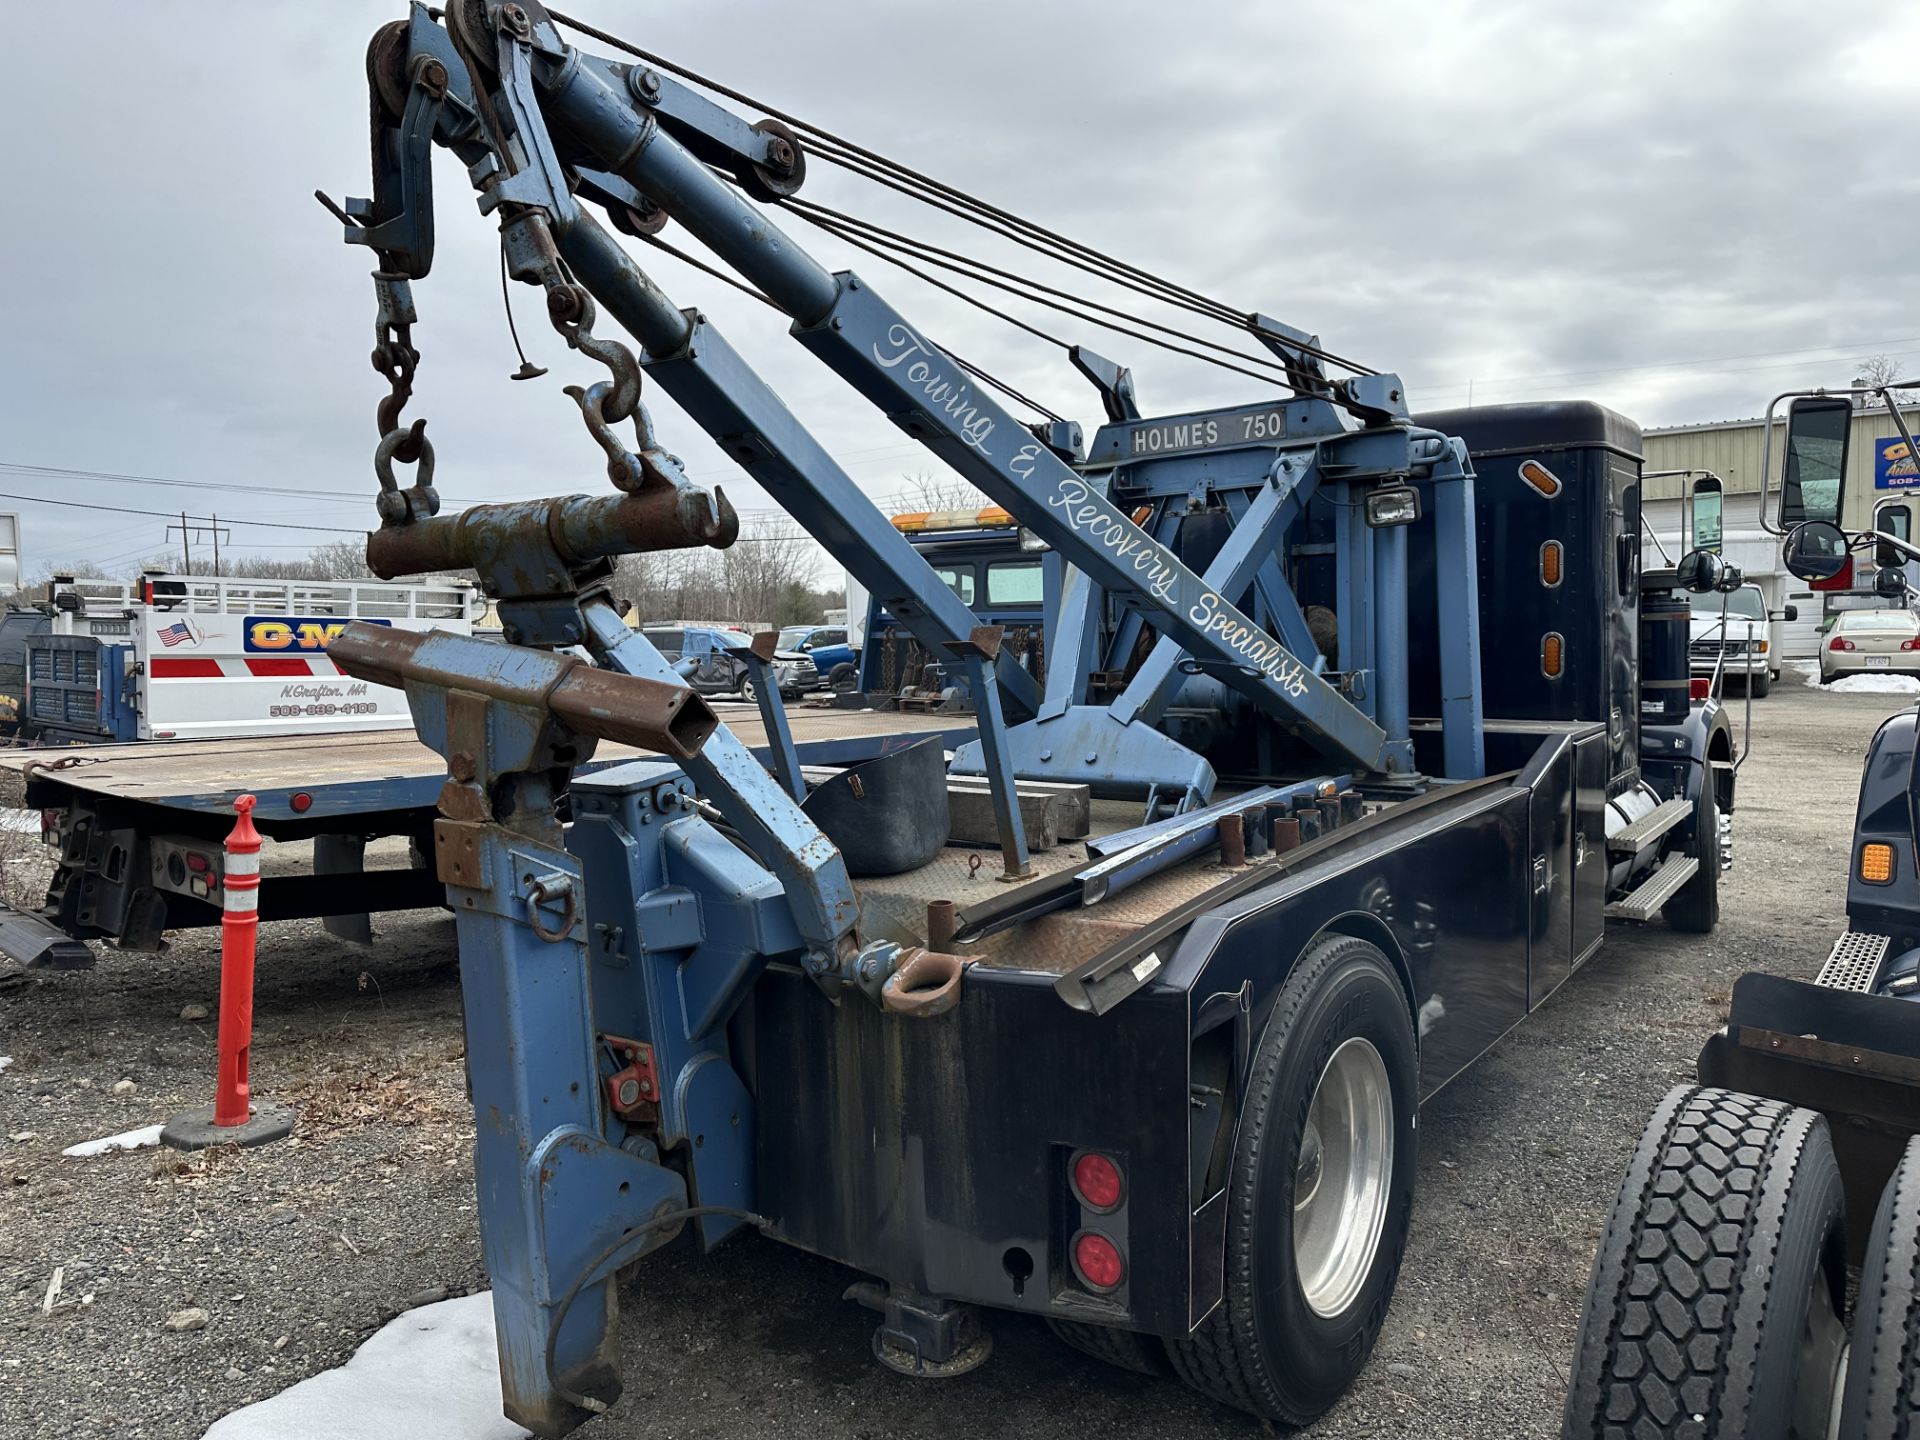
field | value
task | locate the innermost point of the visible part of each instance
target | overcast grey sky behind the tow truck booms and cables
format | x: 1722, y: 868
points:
x: 1671, y: 208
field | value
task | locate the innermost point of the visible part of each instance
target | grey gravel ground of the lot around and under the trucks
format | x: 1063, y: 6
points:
x: 297, y: 1253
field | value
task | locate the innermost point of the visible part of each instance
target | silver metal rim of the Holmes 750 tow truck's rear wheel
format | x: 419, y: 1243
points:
x: 1341, y: 1178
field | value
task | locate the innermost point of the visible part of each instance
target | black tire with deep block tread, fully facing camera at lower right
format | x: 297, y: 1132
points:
x: 1721, y: 1278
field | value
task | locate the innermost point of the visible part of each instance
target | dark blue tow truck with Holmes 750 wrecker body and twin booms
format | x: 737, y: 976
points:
x: 746, y: 980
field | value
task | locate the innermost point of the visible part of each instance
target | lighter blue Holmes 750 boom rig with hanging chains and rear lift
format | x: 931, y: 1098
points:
x: 548, y: 132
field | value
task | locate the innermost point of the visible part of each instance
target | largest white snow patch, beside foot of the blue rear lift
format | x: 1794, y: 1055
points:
x: 429, y: 1372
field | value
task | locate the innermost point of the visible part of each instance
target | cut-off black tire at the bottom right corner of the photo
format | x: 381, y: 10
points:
x: 1883, y: 1401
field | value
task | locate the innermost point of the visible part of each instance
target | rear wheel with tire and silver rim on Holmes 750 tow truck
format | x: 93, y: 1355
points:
x: 1308, y: 1278
